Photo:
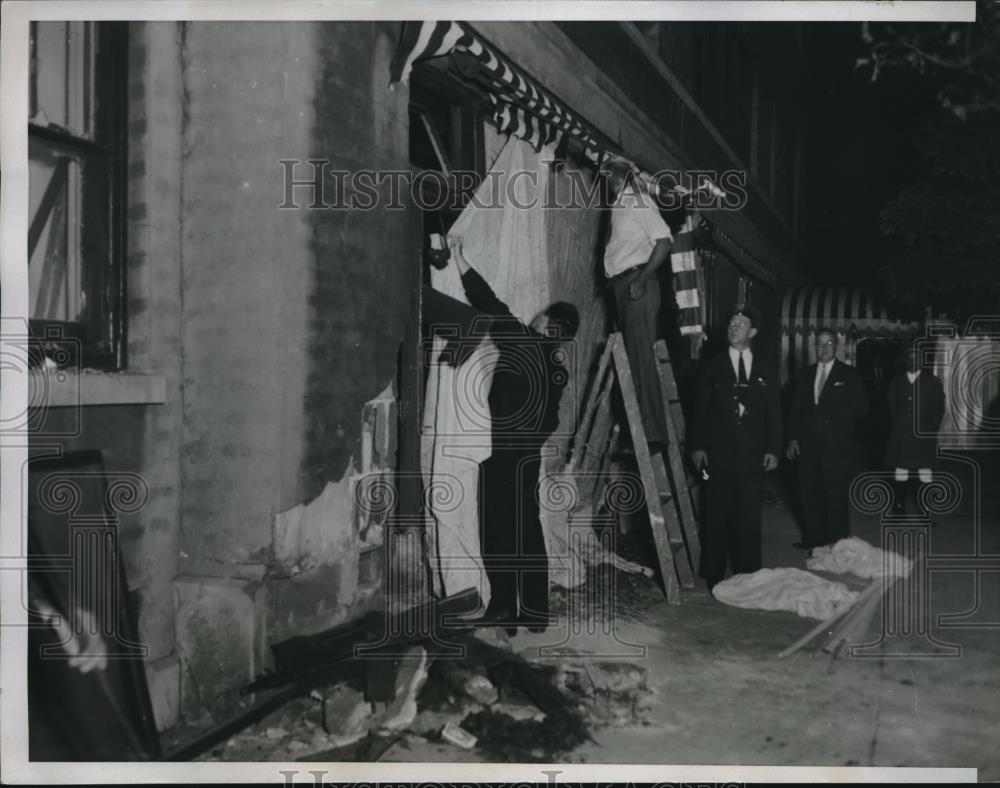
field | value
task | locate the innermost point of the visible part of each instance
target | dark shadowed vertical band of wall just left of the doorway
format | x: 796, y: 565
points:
x: 365, y: 272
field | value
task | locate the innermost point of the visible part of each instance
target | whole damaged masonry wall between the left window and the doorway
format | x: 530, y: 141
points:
x: 271, y: 329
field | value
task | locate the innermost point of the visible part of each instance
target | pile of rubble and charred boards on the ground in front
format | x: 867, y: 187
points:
x: 455, y: 684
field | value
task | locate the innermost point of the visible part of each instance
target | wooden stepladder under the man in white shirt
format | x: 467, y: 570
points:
x: 667, y: 493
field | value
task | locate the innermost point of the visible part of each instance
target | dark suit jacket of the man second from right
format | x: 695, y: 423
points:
x: 830, y: 424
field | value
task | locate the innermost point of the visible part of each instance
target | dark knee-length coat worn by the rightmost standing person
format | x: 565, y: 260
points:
x: 919, y: 404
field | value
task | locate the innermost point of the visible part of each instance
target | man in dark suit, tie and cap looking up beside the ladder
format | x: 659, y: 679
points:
x: 737, y: 437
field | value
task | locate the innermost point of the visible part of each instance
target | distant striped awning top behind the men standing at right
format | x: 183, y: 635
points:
x: 840, y: 309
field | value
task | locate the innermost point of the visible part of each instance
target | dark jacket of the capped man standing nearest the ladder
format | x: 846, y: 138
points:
x: 734, y: 442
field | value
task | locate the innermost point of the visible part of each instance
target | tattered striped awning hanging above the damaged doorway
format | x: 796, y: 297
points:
x: 527, y: 109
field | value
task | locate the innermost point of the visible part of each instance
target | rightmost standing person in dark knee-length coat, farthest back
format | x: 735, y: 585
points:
x: 916, y: 403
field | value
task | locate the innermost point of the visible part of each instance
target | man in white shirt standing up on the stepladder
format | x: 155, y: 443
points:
x: 639, y: 244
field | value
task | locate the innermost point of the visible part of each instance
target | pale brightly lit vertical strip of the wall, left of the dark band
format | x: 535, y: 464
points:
x: 245, y: 272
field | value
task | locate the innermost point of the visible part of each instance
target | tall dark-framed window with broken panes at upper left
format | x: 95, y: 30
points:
x: 77, y: 189
